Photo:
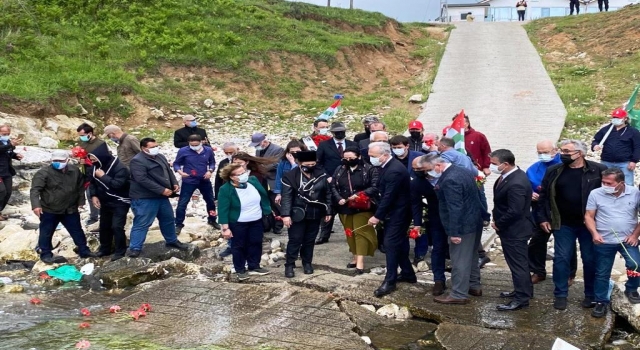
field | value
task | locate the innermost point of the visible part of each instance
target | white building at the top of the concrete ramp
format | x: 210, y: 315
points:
x: 505, y: 10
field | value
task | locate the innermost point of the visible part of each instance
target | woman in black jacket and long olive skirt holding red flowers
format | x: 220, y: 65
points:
x: 349, y: 181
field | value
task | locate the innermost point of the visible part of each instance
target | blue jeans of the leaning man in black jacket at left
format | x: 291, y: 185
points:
x: 145, y: 211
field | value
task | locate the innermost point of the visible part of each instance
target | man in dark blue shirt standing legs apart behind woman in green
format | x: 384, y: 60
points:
x: 195, y: 164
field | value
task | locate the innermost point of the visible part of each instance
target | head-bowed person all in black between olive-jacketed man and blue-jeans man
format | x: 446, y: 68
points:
x: 109, y: 191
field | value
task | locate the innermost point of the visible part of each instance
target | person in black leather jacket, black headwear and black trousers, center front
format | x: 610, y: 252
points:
x: 306, y: 202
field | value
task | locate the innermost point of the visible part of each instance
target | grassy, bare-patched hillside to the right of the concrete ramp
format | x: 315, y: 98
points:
x: 594, y: 61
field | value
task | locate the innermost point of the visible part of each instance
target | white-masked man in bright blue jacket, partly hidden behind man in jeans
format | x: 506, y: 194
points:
x: 547, y: 156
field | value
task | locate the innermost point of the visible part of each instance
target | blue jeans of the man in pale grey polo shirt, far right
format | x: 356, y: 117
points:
x: 605, y: 255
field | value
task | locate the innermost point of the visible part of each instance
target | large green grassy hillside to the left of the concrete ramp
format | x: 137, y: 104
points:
x: 119, y: 58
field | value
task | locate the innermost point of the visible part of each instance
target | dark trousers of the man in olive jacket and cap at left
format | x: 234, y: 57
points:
x: 71, y: 222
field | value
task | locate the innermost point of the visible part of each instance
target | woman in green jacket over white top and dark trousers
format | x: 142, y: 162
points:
x: 242, y: 201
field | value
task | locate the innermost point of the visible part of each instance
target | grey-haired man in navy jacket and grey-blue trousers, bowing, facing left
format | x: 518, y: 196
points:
x: 460, y: 213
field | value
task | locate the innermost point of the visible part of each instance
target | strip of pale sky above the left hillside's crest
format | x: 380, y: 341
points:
x: 401, y: 10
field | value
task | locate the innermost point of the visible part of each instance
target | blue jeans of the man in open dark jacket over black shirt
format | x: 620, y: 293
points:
x: 565, y: 245
